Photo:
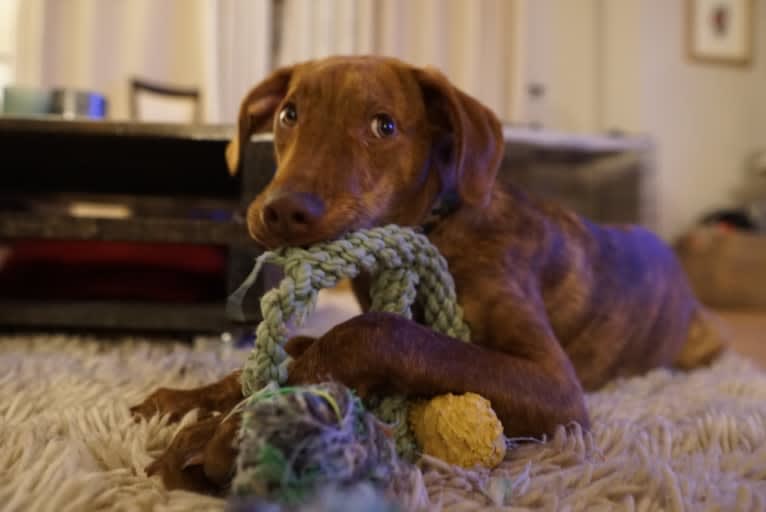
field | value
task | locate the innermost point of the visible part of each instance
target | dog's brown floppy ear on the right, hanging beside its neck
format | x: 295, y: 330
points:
x: 468, y: 138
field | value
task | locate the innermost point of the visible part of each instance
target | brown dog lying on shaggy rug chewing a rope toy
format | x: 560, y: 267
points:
x: 555, y: 303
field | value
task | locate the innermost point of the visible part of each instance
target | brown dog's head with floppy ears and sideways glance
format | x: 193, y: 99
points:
x: 361, y: 142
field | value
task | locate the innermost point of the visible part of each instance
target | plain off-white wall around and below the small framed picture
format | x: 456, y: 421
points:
x: 704, y: 116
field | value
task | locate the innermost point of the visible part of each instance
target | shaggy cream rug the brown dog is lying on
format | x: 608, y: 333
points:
x: 665, y: 441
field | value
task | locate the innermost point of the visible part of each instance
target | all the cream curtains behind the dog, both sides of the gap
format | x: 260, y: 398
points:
x: 224, y: 46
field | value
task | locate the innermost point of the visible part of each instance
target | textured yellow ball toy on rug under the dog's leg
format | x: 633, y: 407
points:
x: 459, y: 429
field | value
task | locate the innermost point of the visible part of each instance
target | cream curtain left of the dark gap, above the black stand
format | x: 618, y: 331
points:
x: 222, y: 47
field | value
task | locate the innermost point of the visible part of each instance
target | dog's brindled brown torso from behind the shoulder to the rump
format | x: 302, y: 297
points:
x: 616, y: 297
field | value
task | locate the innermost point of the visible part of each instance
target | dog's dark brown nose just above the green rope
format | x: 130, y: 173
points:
x: 289, y: 214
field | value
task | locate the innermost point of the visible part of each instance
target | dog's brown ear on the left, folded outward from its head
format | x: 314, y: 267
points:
x: 256, y: 112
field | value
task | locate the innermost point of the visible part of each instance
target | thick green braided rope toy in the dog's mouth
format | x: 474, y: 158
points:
x: 404, y: 266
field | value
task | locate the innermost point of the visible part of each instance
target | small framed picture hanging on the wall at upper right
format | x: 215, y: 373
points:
x: 720, y: 31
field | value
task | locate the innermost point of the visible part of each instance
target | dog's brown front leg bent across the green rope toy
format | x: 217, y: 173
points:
x: 531, y: 393
